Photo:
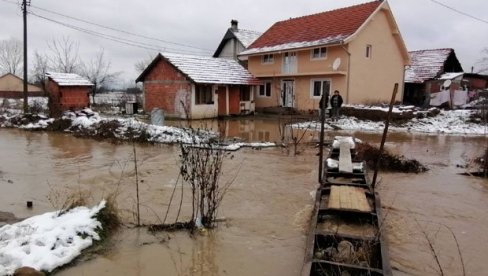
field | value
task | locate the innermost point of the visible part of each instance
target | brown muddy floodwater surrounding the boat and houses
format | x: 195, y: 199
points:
x: 265, y: 214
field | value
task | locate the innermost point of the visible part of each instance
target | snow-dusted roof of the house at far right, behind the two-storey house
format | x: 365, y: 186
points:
x: 428, y: 64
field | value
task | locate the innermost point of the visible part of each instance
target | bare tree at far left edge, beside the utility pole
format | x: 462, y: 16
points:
x: 11, y: 56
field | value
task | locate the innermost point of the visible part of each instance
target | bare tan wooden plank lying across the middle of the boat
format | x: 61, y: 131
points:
x: 348, y: 198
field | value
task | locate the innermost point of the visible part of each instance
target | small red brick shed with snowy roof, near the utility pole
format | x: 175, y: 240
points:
x: 67, y: 91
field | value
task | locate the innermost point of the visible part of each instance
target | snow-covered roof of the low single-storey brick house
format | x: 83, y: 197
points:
x: 207, y: 70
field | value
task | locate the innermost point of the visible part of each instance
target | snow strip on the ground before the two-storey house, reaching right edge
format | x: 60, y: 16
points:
x: 455, y: 122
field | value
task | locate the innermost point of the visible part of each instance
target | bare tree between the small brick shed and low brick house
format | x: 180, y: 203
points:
x: 98, y: 72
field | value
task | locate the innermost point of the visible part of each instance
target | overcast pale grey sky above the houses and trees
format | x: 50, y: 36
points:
x: 424, y: 24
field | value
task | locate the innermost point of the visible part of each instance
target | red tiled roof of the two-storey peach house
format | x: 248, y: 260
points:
x: 324, y: 28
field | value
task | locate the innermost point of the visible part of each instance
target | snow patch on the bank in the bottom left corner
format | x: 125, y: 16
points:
x: 48, y: 241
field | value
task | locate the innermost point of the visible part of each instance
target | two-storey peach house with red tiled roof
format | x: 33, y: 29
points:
x: 357, y: 50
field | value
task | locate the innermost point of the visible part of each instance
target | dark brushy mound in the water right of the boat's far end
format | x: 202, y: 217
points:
x: 388, y: 161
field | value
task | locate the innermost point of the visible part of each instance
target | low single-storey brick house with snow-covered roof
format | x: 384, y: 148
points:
x: 195, y: 87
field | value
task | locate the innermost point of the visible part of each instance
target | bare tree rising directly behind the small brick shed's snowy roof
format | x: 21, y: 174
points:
x: 63, y: 56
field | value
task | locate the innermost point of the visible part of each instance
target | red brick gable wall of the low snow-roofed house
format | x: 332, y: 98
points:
x: 161, y: 87
